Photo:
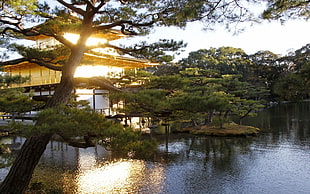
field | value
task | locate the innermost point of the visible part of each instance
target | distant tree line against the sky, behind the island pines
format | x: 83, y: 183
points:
x: 283, y: 77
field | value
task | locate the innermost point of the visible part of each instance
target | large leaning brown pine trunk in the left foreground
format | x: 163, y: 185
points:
x: 20, y: 174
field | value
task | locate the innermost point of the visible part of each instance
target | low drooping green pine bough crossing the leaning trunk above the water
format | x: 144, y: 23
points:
x: 85, y: 127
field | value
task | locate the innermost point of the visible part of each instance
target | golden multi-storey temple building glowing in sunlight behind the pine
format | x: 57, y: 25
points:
x: 97, y: 63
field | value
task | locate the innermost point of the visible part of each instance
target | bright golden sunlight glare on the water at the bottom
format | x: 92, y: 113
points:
x: 123, y: 176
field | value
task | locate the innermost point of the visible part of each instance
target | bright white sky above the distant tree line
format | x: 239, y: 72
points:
x: 272, y: 36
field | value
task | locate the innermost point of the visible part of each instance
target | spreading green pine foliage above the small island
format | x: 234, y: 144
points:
x: 193, y: 94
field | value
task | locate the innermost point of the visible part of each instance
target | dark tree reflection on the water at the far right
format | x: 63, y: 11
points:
x: 284, y: 122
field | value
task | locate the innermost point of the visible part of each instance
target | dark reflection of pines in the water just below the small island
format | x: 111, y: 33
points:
x: 206, y: 149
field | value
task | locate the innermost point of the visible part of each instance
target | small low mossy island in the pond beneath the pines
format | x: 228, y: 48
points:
x: 228, y: 129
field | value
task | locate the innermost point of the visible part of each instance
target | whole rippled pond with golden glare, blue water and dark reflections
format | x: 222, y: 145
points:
x: 276, y: 161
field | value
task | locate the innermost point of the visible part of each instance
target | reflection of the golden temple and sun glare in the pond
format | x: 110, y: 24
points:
x: 92, y: 170
